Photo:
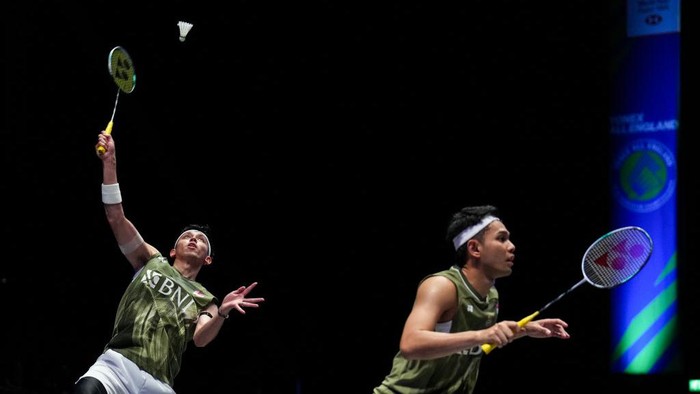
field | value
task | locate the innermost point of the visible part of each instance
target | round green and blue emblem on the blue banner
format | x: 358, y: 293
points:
x: 644, y: 176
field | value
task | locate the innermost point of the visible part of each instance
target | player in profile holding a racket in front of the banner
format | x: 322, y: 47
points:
x: 455, y: 312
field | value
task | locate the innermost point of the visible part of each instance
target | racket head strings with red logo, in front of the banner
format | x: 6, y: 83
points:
x: 616, y: 258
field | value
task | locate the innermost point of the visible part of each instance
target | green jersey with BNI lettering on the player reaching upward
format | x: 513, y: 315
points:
x: 156, y: 318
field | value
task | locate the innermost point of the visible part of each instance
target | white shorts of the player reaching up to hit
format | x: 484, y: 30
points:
x: 120, y: 375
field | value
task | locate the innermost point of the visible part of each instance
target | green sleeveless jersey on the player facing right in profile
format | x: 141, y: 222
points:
x: 456, y: 373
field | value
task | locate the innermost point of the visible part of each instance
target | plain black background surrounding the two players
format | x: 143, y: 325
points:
x: 327, y: 143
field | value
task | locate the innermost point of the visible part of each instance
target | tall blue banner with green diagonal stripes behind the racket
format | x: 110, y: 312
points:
x: 645, y: 109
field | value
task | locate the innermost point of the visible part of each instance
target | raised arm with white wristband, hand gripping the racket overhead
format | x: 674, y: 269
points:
x: 130, y: 242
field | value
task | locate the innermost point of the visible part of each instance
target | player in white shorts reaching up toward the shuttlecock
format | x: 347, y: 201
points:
x: 162, y: 309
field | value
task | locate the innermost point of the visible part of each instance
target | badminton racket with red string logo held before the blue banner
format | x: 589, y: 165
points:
x: 611, y: 260
